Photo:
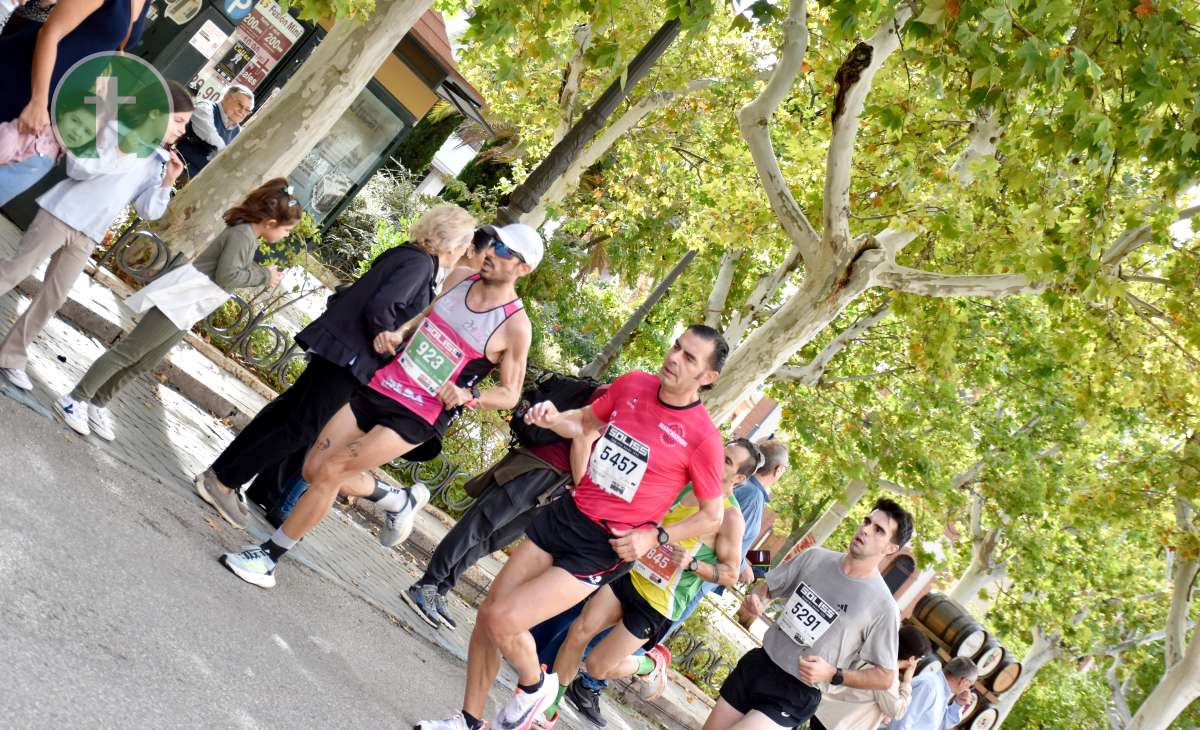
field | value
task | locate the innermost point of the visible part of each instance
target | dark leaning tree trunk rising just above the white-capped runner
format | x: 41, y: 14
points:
x: 527, y: 195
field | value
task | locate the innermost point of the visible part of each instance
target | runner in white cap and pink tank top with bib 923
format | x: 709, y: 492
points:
x: 477, y: 326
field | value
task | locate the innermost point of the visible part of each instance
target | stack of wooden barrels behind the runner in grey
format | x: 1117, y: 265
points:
x: 956, y: 633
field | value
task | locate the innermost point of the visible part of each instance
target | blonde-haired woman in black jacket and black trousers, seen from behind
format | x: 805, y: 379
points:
x: 344, y: 354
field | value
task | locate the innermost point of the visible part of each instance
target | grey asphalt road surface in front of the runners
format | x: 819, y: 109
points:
x: 116, y: 614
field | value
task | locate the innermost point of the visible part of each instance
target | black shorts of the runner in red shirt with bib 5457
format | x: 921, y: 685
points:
x: 578, y: 544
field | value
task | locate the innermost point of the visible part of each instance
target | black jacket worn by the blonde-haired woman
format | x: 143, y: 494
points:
x: 399, y: 285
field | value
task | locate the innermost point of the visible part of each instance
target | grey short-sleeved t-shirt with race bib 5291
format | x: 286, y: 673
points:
x: 841, y: 619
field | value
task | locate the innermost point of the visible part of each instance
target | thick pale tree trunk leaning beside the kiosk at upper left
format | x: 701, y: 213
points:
x: 287, y: 130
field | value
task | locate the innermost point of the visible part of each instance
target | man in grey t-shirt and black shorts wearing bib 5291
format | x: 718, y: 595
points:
x: 839, y: 613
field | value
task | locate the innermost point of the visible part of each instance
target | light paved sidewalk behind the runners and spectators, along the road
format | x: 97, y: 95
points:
x: 167, y: 436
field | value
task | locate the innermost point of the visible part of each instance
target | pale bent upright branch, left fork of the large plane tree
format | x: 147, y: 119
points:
x: 754, y: 121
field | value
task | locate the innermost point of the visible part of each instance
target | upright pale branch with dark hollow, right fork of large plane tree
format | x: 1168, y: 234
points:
x: 854, y: 80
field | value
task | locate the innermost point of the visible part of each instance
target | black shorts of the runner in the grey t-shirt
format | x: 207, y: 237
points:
x: 759, y: 684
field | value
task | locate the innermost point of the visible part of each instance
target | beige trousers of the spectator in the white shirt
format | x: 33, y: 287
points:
x: 69, y: 252
